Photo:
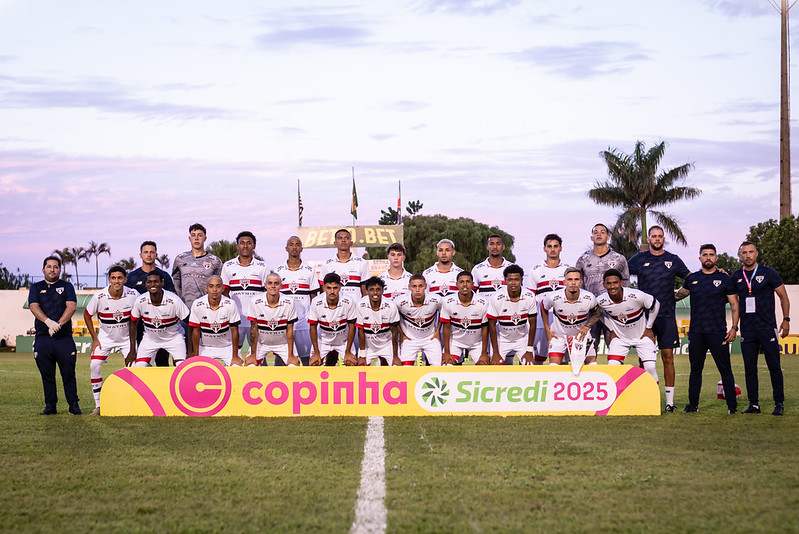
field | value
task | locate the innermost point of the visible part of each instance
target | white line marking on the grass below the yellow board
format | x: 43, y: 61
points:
x: 370, y: 510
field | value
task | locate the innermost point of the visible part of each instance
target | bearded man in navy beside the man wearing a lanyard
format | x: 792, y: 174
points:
x: 710, y: 291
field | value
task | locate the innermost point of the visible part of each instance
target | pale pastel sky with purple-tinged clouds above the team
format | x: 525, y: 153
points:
x: 125, y: 121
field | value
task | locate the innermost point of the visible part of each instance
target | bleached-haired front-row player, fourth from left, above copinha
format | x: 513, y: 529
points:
x: 272, y: 317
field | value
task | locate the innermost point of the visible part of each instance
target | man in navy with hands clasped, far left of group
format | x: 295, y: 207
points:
x: 53, y: 302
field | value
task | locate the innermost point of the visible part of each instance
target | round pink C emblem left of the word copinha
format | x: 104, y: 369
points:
x: 200, y: 387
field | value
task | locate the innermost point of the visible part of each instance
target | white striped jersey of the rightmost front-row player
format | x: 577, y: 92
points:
x: 629, y: 318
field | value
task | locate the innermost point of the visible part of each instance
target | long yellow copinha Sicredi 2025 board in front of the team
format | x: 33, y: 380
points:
x: 202, y: 387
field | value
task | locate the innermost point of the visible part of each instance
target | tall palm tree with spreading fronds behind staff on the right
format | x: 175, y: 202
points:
x: 635, y: 185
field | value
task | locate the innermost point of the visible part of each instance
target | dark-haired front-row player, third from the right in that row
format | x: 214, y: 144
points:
x: 512, y: 320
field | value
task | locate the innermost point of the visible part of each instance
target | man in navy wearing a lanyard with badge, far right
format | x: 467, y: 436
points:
x: 756, y: 286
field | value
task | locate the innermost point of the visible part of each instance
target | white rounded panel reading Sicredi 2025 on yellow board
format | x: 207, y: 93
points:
x: 515, y: 392
